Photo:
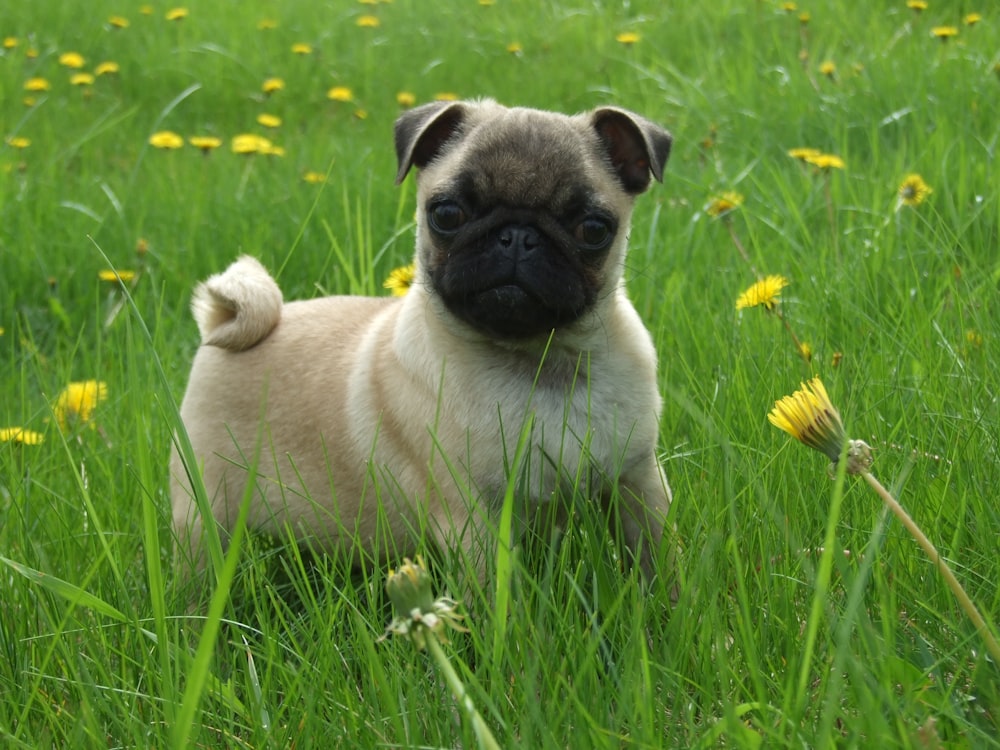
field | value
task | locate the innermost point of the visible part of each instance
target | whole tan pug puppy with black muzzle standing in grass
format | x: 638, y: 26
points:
x: 365, y: 425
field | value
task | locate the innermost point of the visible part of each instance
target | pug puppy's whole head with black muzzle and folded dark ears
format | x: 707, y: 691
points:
x: 523, y: 214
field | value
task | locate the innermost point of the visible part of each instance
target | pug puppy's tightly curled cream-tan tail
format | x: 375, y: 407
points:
x: 237, y: 308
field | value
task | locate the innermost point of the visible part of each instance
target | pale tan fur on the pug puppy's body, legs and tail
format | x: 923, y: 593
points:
x: 341, y: 403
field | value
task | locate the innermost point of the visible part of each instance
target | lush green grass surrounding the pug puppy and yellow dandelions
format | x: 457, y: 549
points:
x: 899, y: 308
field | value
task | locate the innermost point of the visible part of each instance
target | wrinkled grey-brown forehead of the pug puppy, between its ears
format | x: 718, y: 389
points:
x: 534, y: 161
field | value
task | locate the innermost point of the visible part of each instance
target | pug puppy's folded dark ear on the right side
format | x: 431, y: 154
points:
x: 635, y: 146
